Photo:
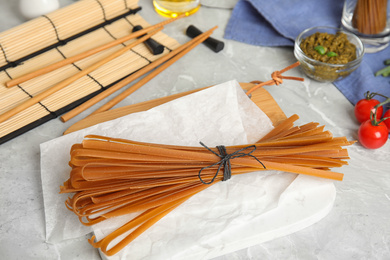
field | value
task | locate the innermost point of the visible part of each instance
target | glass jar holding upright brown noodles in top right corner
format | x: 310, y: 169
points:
x: 369, y: 20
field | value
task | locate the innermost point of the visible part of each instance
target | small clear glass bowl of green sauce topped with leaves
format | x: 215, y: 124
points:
x: 328, y: 54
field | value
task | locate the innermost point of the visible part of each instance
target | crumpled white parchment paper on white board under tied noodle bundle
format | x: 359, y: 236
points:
x: 203, y: 226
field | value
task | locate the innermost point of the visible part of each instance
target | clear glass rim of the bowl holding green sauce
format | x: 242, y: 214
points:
x: 338, y: 65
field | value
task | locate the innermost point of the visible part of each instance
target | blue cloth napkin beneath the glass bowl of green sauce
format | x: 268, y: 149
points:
x: 279, y: 22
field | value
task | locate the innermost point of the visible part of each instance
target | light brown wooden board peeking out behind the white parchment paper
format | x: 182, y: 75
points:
x: 261, y: 97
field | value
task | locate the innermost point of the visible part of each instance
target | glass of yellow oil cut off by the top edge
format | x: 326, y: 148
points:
x: 173, y: 8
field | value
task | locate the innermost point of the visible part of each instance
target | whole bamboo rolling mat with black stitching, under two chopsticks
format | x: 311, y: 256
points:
x: 59, y: 35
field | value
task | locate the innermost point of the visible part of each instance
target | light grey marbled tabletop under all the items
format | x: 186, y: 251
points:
x: 358, y: 226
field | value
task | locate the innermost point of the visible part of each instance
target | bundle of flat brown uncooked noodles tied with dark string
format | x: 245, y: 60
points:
x: 111, y: 177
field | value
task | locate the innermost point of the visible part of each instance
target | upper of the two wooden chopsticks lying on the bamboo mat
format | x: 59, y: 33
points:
x: 85, y: 54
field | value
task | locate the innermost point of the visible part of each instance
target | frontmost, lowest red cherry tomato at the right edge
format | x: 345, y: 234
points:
x: 372, y: 136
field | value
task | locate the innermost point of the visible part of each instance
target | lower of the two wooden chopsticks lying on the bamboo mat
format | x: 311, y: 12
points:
x: 35, y: 99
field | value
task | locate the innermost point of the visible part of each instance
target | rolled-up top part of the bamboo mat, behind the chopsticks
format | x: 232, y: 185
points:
x: 53, y: 29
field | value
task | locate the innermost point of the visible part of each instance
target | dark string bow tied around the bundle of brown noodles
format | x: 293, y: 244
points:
x: 225, y: 161
